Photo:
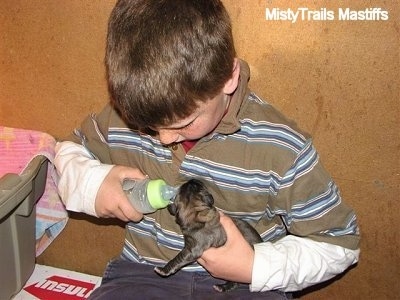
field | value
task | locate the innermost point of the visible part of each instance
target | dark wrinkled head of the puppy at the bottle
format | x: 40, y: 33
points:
x: 193, y: 205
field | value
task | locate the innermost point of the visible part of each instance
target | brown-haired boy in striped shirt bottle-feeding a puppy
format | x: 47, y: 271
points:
x: 181, y: 109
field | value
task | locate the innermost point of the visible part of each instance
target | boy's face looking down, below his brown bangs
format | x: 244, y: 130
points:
x: 203, y: 121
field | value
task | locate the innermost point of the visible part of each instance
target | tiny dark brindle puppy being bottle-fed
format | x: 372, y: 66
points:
x: 199, y: 221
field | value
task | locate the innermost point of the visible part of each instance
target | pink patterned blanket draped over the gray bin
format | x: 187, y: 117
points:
x: 17, y: 148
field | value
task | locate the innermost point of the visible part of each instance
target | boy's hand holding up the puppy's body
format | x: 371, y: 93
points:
x: 234, y: 260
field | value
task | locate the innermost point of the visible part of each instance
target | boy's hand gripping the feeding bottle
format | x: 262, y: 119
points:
x: 111, y: 200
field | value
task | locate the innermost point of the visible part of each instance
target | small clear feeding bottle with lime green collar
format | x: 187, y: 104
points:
x: 148, y: 195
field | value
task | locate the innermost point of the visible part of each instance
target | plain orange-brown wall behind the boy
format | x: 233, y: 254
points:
x: 339, y: 80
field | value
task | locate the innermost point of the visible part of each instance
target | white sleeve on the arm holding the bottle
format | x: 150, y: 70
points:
x: 79, y: 176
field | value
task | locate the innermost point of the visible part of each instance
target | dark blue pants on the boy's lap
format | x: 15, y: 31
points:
x: 128, y: 280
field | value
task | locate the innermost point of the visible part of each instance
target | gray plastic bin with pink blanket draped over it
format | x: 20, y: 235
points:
x: 18, y: 196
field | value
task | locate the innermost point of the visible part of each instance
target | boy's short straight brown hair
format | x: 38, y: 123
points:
x: 164, y: 57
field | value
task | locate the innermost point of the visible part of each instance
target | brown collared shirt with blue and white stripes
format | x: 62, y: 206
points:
x: 257, y: 164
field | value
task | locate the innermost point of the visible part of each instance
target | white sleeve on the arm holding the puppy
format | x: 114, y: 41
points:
x: 294, y: 263
